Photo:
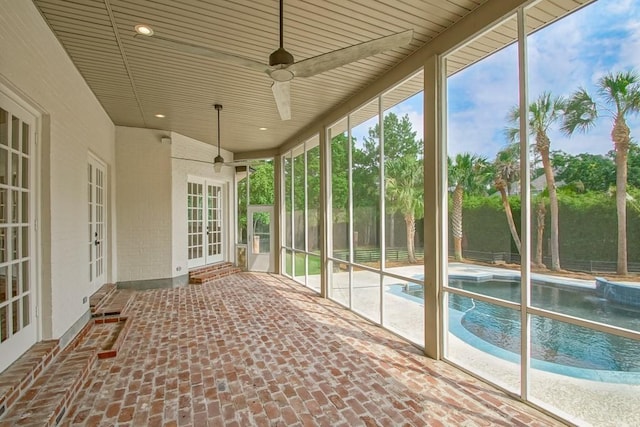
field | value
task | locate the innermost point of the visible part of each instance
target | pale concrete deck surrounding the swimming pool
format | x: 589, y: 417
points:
x: 582, y: 401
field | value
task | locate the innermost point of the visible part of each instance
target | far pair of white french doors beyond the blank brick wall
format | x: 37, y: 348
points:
x: 205, y: 227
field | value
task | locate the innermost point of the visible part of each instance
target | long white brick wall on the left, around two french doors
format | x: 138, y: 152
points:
x: 35, y: 66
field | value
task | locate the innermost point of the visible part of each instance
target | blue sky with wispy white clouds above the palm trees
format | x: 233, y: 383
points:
x: 570, y: 53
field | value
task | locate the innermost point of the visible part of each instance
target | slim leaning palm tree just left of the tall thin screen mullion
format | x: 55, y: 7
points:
x: 507, y: 171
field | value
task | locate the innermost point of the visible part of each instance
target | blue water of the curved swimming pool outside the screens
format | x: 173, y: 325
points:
x: 551, y: 341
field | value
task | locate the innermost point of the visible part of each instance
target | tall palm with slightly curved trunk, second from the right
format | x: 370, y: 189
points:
x: 543, y: 113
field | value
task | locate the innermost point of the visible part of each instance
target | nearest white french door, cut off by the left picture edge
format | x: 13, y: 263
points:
x: 18, y: 286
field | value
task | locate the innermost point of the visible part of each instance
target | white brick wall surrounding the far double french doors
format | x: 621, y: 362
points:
x: 199, y: 164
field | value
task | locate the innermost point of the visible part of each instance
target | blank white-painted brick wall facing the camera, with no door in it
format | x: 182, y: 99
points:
x: 144, y: 204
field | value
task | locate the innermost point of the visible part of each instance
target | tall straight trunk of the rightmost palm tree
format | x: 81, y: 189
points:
x: 620, y: 137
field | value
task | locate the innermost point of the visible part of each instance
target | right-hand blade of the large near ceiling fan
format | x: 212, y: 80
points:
x: 328, y: 61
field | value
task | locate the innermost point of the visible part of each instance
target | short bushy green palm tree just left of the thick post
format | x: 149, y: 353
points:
x: 405, y: 195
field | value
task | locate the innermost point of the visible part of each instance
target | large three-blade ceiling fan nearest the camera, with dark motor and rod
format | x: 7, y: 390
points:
x: 282, y: 68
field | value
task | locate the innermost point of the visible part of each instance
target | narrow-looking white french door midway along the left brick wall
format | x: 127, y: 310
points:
x: 97, y: 192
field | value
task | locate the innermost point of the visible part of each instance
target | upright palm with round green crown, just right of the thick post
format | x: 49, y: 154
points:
x: 467, y: 172
